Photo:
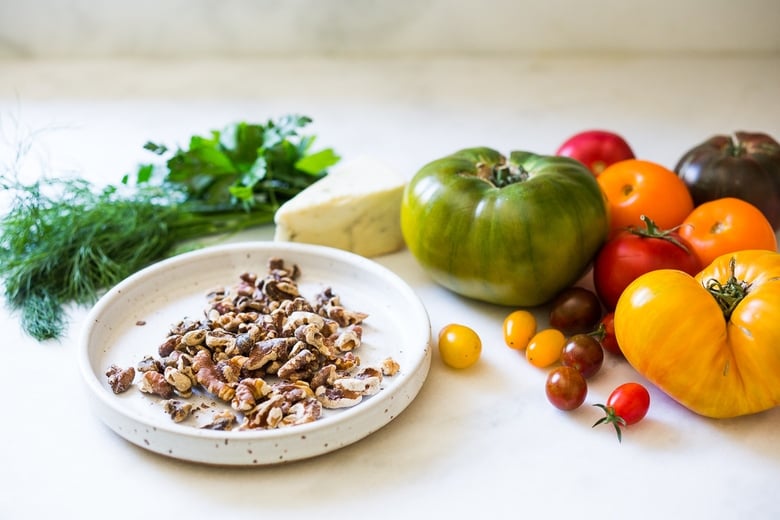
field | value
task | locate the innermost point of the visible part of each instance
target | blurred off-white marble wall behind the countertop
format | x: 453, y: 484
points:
x: 253, y: 28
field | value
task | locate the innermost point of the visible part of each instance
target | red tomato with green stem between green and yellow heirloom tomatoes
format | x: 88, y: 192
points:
x: 636, y: 251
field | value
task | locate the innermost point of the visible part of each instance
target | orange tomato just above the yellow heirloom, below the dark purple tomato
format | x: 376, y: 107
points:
x: 724, y: 226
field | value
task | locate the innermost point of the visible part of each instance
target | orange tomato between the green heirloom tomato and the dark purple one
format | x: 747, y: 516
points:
x: 635, y: 187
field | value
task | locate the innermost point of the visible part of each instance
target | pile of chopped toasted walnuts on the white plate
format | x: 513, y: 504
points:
x: 275, y: 357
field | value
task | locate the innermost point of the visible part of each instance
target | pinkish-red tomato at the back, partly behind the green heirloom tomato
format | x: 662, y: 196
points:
x: 596, y: 149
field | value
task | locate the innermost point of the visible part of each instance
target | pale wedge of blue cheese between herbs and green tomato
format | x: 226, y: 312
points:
x: 356, y: 207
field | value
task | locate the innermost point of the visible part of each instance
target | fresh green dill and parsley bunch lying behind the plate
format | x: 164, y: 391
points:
x: 65, y: 240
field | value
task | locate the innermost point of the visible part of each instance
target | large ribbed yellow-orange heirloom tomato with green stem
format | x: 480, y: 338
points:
x: 711, y: 342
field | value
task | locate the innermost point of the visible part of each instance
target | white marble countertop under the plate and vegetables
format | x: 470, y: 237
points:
x: 476, y: 443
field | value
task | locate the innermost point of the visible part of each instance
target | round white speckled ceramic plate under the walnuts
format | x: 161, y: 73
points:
x: 133, y: 318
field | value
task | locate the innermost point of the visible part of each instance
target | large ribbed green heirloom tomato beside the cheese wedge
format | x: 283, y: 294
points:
x: 511, y: 232
